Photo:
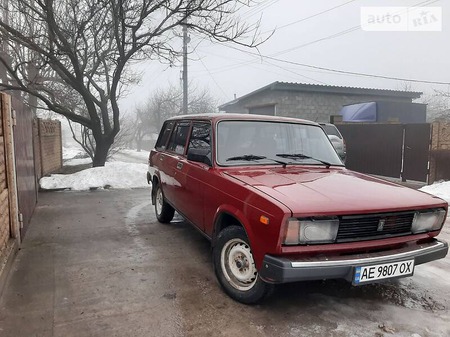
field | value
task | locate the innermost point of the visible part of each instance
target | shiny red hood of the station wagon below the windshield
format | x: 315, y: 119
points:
x: 310, y: 191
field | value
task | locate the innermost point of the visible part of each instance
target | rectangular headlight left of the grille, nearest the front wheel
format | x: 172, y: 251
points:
x: 311, y: 231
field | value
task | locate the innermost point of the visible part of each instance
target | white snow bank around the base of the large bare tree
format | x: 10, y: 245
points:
x: 115, y: 174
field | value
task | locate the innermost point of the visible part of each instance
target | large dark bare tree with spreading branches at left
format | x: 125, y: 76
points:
x: 73, y: 56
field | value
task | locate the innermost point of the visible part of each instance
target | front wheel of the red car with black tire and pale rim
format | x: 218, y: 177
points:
x: 235, y: 268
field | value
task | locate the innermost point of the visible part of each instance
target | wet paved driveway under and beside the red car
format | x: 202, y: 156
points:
x: 98, y: 264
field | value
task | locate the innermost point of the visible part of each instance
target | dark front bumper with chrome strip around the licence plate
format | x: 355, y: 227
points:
x: 283, y: 270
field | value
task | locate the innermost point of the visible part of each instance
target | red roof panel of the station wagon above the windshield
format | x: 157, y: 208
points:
x: 216, y: 117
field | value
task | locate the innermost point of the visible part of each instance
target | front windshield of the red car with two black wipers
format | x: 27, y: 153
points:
x: 263, y: 142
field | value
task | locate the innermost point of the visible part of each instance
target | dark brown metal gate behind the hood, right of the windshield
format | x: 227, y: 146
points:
x: 390, y: 150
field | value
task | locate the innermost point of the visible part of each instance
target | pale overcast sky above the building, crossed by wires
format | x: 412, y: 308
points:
x: 321, y: 33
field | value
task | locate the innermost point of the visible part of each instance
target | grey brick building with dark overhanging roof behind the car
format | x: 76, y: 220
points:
x: 310, y: 101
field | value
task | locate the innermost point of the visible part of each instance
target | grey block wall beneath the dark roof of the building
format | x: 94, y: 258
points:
x: 307, y: 105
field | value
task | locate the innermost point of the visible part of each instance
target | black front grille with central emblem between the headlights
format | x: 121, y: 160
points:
x: 374, y: 226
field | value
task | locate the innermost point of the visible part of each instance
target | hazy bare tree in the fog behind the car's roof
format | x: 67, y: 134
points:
x: 166, y: 103
